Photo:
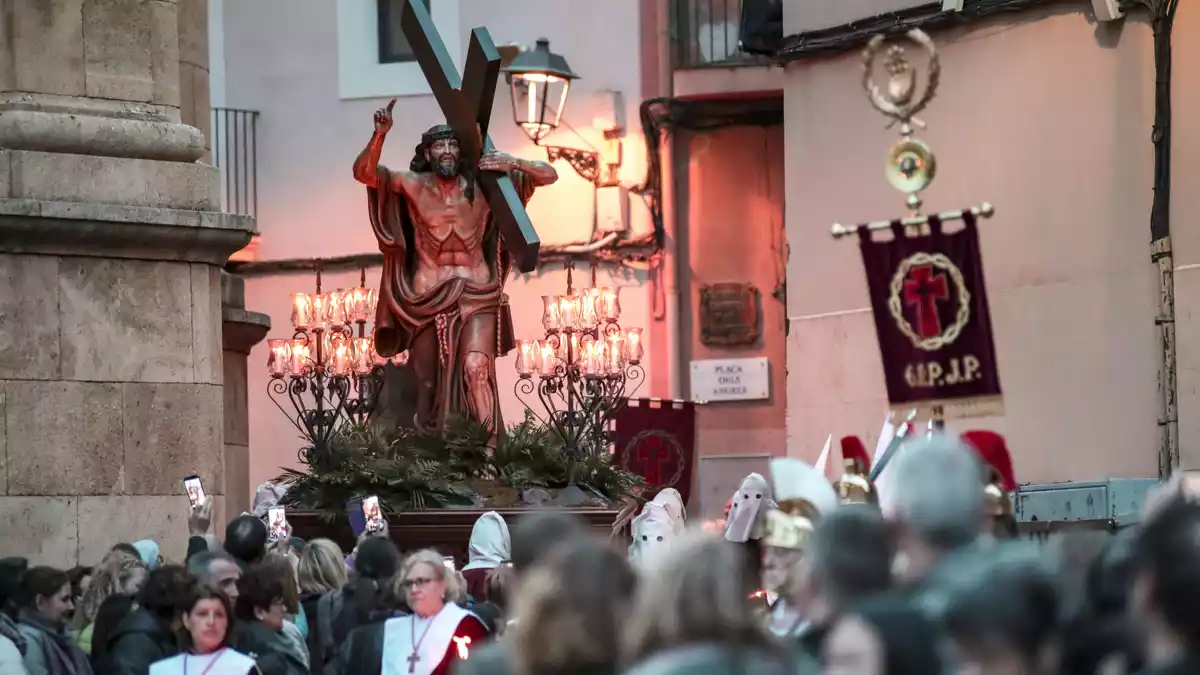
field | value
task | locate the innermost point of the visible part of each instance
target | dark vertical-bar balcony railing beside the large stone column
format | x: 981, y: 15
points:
x: 236, y: 153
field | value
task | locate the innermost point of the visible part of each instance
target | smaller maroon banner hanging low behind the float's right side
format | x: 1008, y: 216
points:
x: 657, y: 440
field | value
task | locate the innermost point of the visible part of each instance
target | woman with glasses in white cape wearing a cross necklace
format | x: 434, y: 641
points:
x: 430, y: 638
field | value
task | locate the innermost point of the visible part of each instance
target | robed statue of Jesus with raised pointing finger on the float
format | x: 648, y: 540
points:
x: 442, y: 295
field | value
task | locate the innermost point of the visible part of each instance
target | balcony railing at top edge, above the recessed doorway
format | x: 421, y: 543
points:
x: 706, y: 34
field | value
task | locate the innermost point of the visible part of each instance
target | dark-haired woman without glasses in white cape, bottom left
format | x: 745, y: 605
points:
x: 208, y: 630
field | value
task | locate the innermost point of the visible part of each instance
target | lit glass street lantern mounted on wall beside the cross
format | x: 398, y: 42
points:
x: 541, y: 82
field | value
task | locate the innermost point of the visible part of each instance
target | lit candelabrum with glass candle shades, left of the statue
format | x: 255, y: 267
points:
x: 328, y: 372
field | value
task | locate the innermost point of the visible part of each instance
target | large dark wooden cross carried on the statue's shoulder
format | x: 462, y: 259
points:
x: 467, y: 105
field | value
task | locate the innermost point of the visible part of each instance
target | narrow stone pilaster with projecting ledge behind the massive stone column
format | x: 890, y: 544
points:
x: 241, y: 332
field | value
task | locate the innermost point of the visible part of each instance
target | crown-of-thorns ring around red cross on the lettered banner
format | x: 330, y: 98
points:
x: 923, y: 284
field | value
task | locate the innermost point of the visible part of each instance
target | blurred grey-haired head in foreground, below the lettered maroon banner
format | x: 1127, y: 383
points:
x: 938, y: 491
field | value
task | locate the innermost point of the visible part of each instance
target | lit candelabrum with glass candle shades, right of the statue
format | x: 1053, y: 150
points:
x: 583, y: 372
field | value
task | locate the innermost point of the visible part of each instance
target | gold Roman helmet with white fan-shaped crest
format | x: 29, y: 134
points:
x: 803, y: 495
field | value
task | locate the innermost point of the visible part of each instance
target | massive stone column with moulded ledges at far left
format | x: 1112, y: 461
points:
x: 111, y: 250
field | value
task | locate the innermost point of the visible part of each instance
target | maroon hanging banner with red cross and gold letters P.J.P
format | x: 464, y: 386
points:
x: 932, y: 316
